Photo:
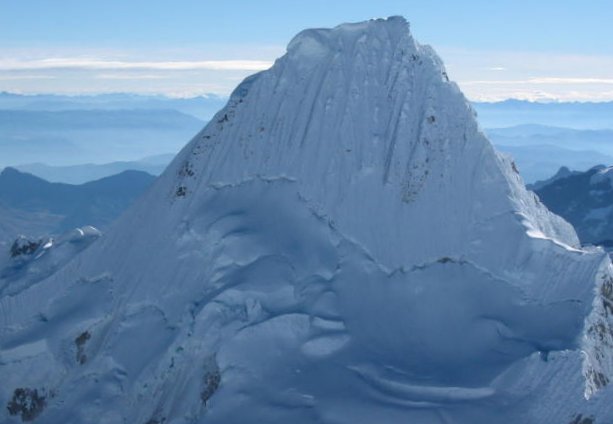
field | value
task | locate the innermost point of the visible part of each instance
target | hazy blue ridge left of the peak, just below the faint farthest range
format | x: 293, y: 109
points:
x: 75, y: 137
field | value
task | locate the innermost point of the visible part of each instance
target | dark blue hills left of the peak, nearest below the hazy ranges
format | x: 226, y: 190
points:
x: 32, y: 206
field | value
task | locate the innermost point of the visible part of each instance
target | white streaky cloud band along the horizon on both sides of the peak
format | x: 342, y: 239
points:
x: 482, y: 75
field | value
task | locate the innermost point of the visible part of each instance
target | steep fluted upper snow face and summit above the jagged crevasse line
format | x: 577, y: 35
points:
x: 362, y: 111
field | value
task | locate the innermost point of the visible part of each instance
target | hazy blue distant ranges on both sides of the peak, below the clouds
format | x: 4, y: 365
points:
x: 75, y: 139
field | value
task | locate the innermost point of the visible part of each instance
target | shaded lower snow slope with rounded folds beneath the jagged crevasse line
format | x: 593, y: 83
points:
x: 278, y: 310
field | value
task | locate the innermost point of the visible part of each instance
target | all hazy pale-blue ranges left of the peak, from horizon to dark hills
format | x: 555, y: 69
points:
x: 74, y: 130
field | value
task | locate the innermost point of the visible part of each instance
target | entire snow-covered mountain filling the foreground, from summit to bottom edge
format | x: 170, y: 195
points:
x: 341, y: 244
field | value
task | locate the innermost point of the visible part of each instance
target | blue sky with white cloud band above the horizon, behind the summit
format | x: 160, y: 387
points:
x: 536, y: 50
